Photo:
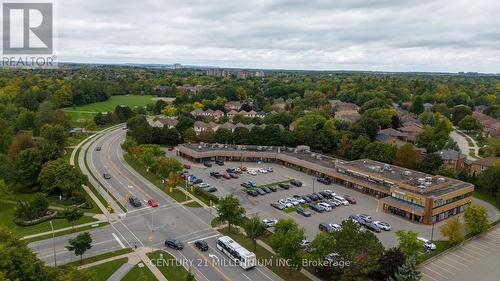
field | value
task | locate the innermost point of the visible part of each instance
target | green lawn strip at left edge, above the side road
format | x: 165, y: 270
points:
x: 7, y: 221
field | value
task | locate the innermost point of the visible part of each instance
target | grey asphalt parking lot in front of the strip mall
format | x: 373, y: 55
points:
x: 260, y: 205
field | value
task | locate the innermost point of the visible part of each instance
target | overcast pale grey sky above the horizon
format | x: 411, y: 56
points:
x: 386, y: 35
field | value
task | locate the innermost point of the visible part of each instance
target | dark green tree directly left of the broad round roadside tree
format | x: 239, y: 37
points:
x: 28, y: 165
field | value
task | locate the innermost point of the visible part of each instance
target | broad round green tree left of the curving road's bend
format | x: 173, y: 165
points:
x: 60, y: 176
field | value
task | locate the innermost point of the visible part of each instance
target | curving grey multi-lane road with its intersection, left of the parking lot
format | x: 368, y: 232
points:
x: 145, y: 226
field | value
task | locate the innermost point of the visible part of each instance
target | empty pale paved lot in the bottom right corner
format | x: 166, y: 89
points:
x: 476, y: 259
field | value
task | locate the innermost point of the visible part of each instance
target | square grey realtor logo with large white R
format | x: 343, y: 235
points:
x: 27, y: 28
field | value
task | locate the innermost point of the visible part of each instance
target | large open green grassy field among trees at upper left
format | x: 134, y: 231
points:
x: 89, y: 110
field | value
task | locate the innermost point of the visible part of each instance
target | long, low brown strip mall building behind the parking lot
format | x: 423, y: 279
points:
x: 416, y: 196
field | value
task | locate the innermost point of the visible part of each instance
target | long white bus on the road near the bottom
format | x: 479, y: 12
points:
x: 241, y: 256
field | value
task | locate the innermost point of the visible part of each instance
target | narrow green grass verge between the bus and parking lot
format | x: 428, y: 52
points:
x: 263, y: 254
